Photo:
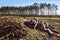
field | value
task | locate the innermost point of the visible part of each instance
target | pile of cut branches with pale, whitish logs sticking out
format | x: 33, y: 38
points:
x: 35, y: 23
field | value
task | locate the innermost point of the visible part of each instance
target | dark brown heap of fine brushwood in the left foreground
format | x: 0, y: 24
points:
x: 11, y: 29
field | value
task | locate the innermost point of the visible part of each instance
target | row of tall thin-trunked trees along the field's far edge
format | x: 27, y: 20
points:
x: 35, y: 9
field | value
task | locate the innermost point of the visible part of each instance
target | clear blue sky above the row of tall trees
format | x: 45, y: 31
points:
x: 27, y: 2
